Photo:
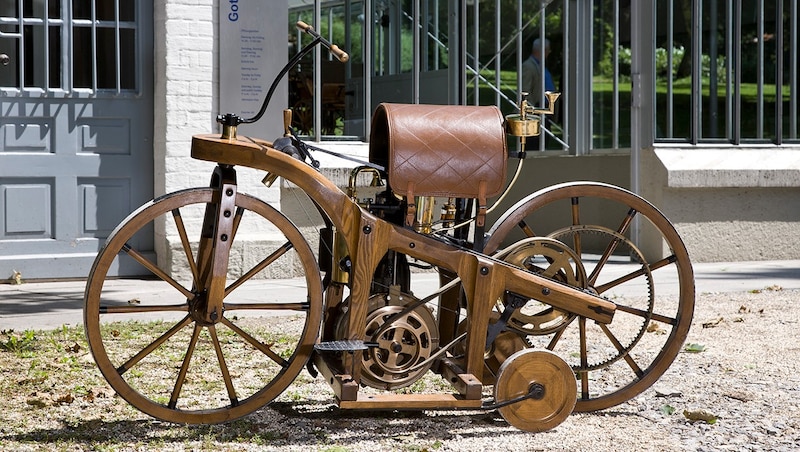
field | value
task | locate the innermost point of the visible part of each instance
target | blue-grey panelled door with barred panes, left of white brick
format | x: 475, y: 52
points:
x: 76, y: 128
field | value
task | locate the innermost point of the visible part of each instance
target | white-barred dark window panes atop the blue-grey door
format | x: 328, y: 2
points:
x: 61, y: 45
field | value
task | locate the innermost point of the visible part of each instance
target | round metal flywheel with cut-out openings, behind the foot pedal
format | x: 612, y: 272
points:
x: 410, y: 339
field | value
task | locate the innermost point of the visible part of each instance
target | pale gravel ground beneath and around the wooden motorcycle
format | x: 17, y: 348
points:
x: 747, y: 377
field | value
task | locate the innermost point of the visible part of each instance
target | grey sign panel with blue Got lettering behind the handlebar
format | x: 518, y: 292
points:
x: 253, y: 49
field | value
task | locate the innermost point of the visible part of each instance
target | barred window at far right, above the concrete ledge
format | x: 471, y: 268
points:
x: 727, y: 71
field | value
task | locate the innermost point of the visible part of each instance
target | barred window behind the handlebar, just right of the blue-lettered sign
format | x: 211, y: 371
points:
x: 399, y: 50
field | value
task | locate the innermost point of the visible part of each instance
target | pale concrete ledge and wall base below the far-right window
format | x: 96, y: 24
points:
x: 728, y: 204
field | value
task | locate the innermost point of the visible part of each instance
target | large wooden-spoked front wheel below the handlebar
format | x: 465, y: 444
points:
x: 167, y: 361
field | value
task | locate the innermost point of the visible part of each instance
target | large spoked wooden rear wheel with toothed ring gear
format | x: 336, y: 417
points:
x: 580, y: 234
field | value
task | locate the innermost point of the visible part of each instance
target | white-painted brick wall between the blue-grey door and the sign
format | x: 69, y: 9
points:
x: 187, y: 74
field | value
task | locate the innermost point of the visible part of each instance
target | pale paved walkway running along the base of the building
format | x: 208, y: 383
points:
x: 45, y: 305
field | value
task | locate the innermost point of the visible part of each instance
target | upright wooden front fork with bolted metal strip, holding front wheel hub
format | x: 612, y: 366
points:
x: 216, y: 238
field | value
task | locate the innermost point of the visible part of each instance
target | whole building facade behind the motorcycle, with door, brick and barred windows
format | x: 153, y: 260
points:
x: 691, y: 103
